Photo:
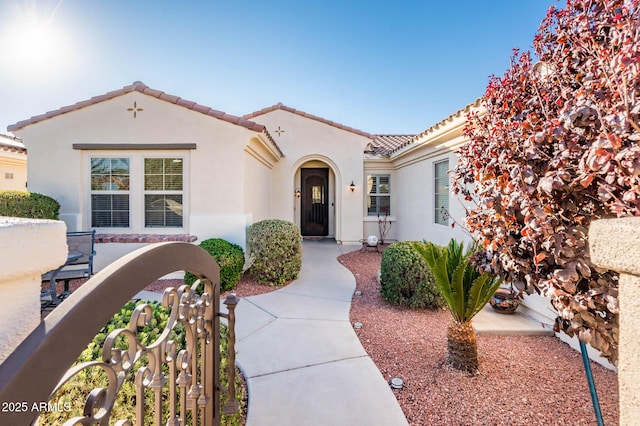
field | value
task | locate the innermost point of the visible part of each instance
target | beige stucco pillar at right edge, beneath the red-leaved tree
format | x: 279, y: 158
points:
x: 614, y: 244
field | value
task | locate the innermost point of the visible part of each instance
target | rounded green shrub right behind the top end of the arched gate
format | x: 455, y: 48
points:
x: 230, y: 258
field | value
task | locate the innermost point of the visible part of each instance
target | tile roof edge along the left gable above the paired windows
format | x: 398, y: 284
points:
x: 142, y: 88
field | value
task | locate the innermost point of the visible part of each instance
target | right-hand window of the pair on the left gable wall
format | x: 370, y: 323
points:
x: 163, y: 192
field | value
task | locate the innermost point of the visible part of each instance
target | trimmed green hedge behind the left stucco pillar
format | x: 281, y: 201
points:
x: 28, y: 204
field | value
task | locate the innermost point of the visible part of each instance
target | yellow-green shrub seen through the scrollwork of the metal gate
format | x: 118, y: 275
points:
x: 74, y: 392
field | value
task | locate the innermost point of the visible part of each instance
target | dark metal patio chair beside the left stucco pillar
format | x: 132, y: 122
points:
x: 79, y: 265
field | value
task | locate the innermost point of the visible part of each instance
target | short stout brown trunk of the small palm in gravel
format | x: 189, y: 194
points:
x: 462, y: 346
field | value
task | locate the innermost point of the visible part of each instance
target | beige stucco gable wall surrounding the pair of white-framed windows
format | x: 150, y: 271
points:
x: 214, y: 197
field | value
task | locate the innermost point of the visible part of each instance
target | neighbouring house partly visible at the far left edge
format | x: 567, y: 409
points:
x: 13, y: 164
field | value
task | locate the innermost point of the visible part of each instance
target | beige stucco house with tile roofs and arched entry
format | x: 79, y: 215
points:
x: 140, y: 165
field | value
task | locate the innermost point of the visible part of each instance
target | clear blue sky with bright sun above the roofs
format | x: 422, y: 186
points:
x: 379, y: 66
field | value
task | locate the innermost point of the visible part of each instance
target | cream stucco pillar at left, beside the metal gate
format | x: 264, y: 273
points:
x: 28, y: 248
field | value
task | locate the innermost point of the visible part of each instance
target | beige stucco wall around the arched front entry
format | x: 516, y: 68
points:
x: 306, y: 140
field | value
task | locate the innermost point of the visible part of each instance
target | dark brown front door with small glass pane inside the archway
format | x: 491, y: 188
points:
x: 314, y: 208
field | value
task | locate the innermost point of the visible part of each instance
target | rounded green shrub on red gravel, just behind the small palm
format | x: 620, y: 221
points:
x: 405, y: 278
